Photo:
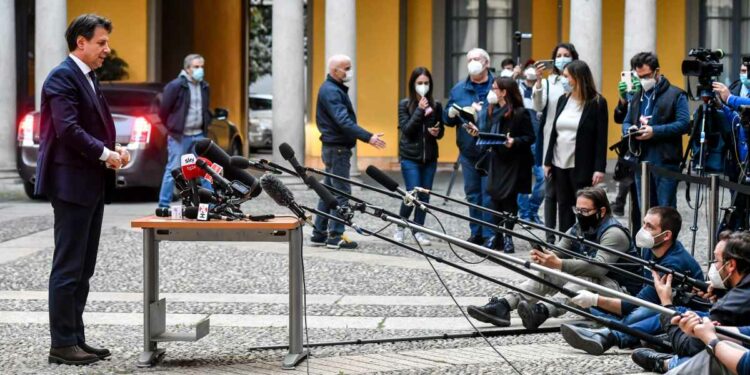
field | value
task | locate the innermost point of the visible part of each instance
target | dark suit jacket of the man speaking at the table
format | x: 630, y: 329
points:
x: 75, y: 127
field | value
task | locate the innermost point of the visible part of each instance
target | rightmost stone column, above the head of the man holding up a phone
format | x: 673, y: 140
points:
x: 640, y: 29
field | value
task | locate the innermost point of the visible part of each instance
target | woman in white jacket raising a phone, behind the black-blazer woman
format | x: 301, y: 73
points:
x: 545, y: 96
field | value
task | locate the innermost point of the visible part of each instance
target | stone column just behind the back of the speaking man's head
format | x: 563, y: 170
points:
x: 50, y: 48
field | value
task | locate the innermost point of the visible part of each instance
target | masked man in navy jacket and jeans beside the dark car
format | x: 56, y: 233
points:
x: 184, y: 111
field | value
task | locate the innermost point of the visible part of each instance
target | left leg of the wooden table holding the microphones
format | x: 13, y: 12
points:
x: 151, y: 354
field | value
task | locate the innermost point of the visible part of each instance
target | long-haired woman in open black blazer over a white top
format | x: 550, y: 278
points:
x: 577, y: 152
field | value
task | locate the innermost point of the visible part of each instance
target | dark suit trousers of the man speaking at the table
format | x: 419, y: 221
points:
x: 77, y: 230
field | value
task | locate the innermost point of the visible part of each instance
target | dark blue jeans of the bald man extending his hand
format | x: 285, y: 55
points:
x: 337, y: 161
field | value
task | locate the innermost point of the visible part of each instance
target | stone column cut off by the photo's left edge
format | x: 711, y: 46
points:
x: 8, y: 116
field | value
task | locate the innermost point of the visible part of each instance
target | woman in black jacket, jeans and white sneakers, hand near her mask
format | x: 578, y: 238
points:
x: 419, y: 128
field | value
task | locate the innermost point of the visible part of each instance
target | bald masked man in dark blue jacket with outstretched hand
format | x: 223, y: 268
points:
x: 339, y: 133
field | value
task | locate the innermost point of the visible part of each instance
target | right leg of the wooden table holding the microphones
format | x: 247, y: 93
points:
x: 296, y: 351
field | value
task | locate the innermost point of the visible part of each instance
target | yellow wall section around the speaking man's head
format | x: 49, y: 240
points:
x: 129, y: 30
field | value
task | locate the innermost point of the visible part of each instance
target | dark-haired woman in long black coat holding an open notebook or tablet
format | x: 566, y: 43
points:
x: 510, y: 161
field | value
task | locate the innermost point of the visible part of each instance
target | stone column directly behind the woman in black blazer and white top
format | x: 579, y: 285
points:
x: 586, y: 34
